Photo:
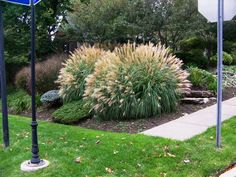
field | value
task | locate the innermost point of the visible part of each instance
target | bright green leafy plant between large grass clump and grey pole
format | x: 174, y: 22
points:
x: 203, y: 79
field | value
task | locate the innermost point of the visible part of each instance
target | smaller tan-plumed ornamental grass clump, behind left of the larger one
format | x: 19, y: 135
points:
x: 72, y: 76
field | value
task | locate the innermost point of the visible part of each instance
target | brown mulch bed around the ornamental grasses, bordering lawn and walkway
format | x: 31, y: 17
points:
x: 135, y: 126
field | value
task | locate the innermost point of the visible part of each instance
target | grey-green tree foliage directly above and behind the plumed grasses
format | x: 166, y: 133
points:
x: 120, y: 21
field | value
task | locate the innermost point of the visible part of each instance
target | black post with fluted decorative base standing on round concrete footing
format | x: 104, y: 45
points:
x: 35, y: 149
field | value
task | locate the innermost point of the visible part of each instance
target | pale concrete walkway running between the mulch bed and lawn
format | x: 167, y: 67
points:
x: 193, y: 124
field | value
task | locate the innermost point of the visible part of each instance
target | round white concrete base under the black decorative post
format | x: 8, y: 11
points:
x: 27, y: 166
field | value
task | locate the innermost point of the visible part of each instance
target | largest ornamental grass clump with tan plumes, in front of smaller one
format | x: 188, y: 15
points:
x: 136, y: 82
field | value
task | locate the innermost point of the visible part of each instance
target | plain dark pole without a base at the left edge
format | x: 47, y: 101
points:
x: 3, y: 83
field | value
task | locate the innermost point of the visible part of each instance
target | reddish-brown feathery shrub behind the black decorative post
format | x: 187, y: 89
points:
x: 46, y: 75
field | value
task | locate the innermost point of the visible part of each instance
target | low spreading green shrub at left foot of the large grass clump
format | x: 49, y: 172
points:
x: 72, y: 112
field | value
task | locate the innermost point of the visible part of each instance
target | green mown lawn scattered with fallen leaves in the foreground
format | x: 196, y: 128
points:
x: 127, y: 155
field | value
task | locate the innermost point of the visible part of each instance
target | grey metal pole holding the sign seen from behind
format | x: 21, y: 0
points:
x: 219, y: 73
